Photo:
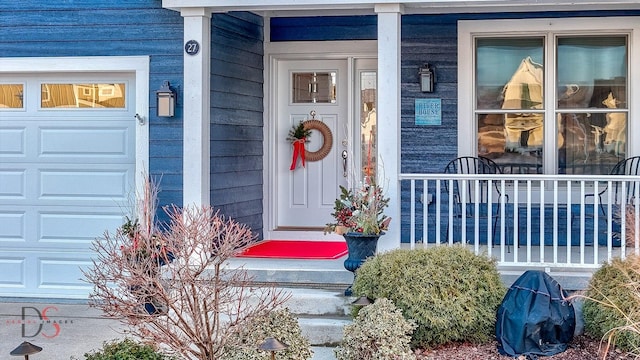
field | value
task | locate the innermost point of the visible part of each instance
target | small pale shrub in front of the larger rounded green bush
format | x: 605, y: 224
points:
x: 379, y: 332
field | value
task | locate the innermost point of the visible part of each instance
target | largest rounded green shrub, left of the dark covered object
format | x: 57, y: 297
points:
x: 451, y: 293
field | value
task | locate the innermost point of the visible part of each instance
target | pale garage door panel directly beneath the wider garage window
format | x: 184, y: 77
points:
x: 112, y: 143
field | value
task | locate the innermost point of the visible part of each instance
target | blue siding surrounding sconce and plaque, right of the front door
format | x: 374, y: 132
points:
x: 433, y: 39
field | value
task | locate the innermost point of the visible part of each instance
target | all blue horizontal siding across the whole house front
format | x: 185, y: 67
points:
x: 142, y: 27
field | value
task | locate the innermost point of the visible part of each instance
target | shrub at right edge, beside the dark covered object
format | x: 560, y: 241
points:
x: 612, y: 306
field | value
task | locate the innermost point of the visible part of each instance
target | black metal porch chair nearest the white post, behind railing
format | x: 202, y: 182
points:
x: 474, y: 165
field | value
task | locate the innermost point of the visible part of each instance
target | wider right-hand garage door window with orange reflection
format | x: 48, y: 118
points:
x: 82, y: 96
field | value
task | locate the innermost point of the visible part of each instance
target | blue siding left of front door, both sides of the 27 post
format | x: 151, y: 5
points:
x: 30, y: 28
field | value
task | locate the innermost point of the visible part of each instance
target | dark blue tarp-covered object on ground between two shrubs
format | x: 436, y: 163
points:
x: 535, y: 318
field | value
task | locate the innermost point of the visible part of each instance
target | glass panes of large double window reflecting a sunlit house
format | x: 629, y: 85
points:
x: 590, y: 116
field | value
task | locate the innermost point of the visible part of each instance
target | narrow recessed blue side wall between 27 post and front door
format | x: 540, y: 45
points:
x: 236, y: 117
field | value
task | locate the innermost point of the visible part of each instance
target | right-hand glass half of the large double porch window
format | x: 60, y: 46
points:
x: 592, y: 72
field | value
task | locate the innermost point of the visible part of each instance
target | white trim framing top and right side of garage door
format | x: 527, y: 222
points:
x: 137, y: 64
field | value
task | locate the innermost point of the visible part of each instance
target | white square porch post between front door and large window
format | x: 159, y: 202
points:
x: 389, y: 22
